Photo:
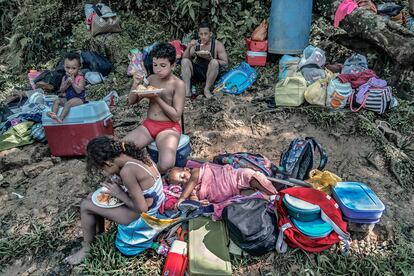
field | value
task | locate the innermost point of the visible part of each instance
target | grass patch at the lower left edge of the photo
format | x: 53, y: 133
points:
x: 38, y: 240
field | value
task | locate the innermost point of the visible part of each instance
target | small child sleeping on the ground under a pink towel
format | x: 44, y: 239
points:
x: 215, y: 183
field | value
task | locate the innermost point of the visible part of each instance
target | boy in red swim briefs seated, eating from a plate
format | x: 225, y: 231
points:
x: 164, y: 113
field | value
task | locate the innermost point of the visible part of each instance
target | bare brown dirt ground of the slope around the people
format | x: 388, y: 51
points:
x: 52, y: 187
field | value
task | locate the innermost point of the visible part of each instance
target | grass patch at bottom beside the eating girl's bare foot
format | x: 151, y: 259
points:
x: 104, y: 259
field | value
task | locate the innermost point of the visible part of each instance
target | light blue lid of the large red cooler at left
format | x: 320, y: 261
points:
x: 90, y: 112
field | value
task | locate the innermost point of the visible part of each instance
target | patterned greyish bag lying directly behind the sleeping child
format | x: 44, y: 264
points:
x: 252, y: 161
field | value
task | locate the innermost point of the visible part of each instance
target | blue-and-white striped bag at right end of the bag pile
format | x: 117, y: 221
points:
x: 376, y: 99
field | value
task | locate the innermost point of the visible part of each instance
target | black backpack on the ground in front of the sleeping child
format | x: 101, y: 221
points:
x: 252, y: 226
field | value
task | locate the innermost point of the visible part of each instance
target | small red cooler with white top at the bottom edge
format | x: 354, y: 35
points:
x: 176, y: 262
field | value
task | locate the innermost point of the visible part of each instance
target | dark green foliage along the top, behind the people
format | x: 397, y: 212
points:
x: 33, y: 32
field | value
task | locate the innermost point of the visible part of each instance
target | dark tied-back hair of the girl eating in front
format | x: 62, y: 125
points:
x: 105, y: 148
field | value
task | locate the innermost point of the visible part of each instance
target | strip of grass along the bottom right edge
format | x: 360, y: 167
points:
x: 398, y: 260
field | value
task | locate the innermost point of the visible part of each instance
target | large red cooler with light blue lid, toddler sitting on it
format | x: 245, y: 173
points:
x: 82, y: 124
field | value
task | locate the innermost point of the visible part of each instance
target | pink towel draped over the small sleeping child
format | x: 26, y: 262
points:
x: 218, y: 183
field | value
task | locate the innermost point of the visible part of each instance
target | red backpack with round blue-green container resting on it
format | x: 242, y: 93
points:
x: 330, y: 212
